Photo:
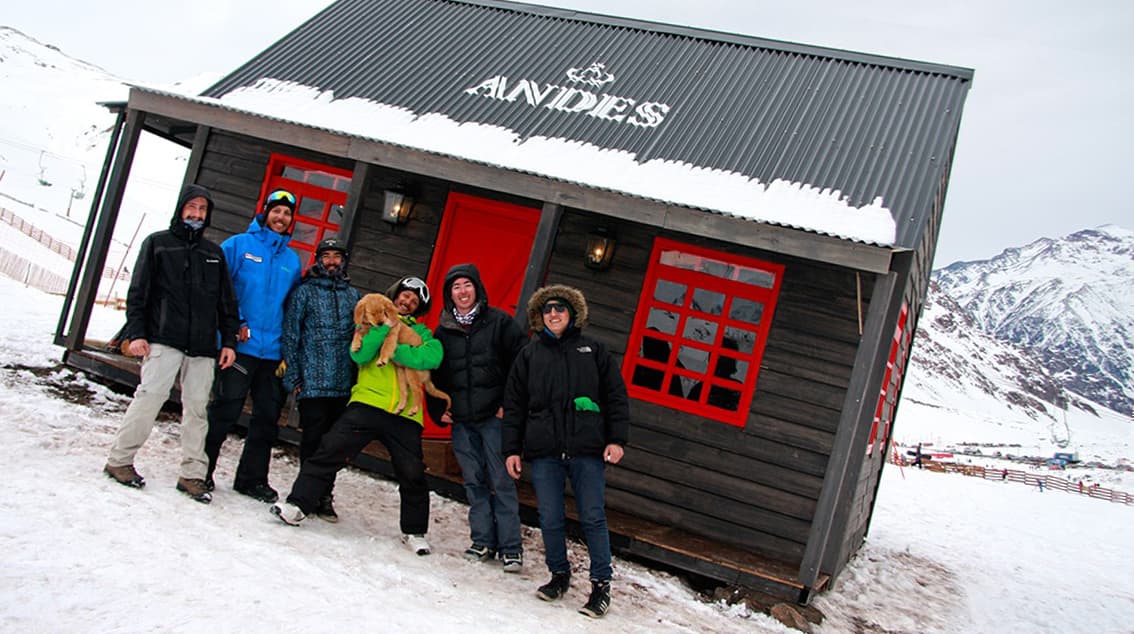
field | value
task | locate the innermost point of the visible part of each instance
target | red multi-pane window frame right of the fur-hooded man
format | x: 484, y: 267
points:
x: 691, y: 394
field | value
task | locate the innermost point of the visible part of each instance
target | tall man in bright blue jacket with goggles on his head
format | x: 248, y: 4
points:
x: 264, y: 270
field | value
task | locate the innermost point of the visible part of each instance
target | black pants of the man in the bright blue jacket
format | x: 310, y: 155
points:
x: 232, y: 387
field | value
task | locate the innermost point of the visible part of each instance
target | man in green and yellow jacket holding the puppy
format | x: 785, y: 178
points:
x: 370, y: 417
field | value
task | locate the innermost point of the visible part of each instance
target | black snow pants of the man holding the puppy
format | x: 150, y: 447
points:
x: 356, y: 429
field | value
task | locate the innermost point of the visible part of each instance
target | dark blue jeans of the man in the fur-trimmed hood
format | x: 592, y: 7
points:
x: 588, y: 479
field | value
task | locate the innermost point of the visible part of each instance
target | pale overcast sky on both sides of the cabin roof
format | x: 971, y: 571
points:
x: 1045, y: 137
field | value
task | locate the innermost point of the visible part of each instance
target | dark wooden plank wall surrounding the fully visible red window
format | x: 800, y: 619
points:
x: 755, y: 487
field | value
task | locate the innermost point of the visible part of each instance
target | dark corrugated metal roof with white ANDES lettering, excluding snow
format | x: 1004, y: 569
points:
x: 868, y: 126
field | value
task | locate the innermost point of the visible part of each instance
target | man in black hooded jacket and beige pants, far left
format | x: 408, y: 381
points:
x: 181, y: 298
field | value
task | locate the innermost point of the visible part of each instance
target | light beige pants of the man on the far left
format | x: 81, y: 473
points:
x: 159, y: 370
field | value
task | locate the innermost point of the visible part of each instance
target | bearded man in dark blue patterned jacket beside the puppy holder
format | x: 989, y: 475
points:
x: 318, y: 328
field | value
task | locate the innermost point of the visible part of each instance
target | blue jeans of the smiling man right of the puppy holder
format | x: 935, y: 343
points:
x: 494, y: 508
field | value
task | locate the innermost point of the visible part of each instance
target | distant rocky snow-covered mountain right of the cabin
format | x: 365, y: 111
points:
x: 1068, y: 301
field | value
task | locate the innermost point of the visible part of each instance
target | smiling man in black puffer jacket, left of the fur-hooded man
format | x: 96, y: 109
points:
x: 480, y: 343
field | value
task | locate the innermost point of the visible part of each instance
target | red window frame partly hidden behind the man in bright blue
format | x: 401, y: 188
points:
x: 282, y: 175
